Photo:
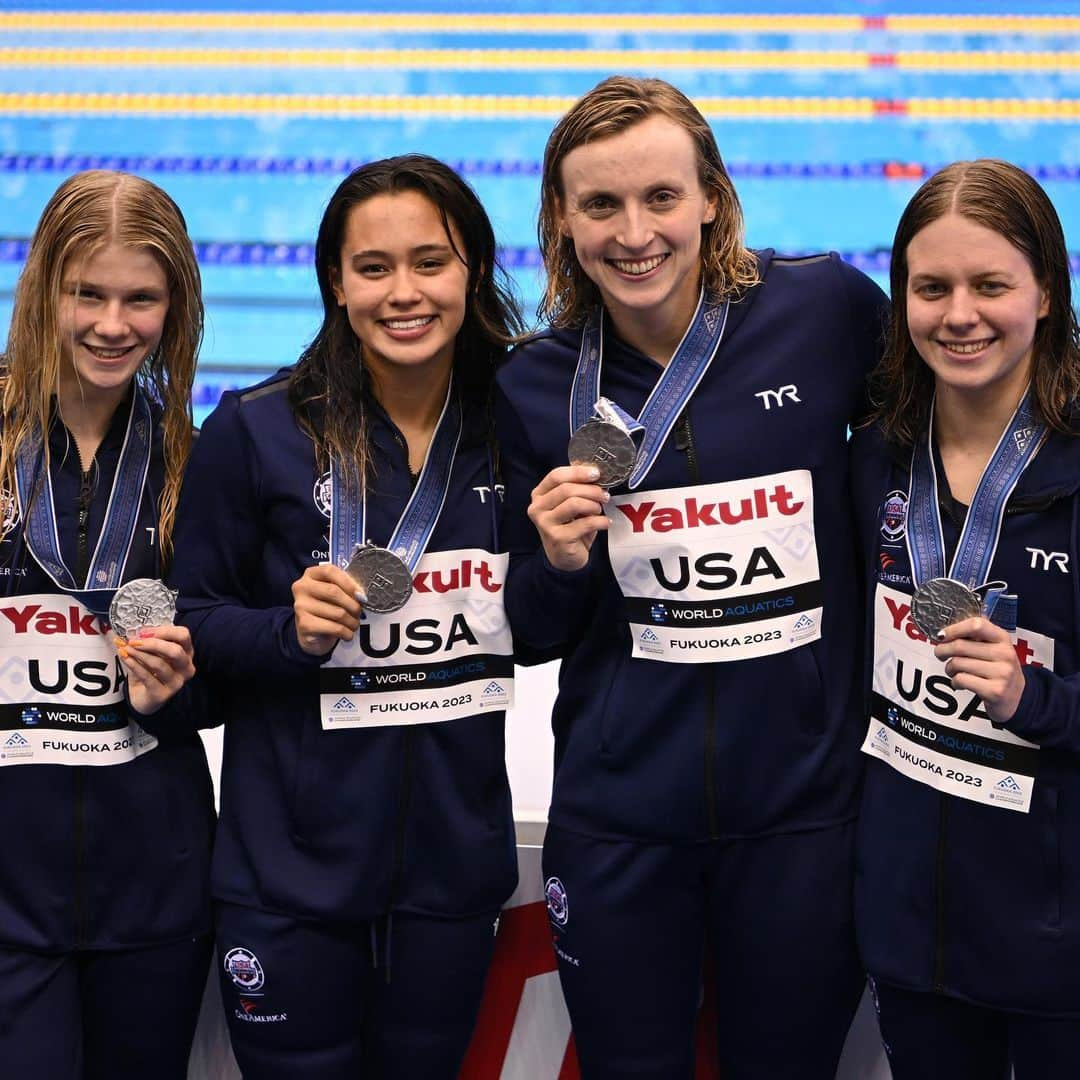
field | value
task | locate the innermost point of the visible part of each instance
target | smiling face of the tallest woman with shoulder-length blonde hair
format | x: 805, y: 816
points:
x: 633, y: 206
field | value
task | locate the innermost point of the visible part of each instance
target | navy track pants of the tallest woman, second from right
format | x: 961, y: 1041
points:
x: 632, y: 924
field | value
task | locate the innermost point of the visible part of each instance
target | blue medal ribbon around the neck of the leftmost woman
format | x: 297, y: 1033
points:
x: 114, y: 545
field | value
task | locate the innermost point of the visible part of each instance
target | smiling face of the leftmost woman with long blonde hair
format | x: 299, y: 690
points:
x: 112, y: 317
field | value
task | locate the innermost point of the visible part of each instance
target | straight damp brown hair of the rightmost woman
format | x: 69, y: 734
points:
x: 1001, y: 197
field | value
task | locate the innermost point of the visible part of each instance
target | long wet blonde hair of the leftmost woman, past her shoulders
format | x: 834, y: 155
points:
x: 88, y: 212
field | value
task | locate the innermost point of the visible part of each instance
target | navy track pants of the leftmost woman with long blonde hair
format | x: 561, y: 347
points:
x: 125, y: 1015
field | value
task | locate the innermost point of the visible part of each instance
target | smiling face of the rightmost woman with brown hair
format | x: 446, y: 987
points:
x: 974, y: 305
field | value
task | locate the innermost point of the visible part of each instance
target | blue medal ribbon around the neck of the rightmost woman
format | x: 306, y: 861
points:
x: 1017, y: 449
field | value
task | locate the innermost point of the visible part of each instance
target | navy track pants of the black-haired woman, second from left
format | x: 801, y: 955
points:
x: 396, y: 1000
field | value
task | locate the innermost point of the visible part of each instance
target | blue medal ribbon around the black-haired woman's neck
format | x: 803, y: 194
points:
x: 422, y: 514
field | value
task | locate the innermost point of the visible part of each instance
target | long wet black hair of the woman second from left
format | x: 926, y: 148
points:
x: 329, y: 385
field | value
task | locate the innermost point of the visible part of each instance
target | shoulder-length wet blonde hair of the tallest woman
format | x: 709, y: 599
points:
x: 610, y: 109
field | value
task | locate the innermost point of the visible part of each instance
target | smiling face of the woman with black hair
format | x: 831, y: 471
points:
x: 402, y: 285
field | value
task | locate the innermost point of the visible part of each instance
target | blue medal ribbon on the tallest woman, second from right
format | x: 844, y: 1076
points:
x: 674, y: 388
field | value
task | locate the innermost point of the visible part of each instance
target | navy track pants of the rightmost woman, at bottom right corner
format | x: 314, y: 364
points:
x: 934, y: 1037
